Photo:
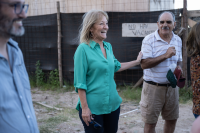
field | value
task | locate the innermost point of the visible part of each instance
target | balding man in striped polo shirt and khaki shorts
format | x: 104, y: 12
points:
x: 160, y: 49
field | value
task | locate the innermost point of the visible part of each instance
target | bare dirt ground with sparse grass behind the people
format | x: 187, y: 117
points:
x: 67, y: 121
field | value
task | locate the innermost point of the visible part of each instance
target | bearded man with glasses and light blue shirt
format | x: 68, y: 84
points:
x: 16, y: 109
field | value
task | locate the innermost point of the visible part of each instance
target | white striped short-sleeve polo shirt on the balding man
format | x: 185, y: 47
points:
x: 153, y: 46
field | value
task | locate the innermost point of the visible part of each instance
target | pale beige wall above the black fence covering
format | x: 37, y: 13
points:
x: 42, y: 7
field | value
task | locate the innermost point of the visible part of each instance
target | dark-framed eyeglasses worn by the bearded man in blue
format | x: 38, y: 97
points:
x: 19, y: 7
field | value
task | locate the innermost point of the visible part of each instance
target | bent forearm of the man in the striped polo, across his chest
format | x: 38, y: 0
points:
x: 152, y: 62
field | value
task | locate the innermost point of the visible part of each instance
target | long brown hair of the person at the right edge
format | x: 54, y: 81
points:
x: 193, y: 41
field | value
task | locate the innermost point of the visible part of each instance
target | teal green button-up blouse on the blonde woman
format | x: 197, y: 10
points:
x: 95, y: 74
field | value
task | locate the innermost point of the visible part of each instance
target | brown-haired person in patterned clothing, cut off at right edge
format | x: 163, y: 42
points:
x: 193, y: 50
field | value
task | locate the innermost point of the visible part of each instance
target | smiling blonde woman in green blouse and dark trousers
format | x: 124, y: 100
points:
x: 94, y: 68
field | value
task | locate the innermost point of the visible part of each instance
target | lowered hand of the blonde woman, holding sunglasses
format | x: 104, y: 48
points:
x: 86, y: 115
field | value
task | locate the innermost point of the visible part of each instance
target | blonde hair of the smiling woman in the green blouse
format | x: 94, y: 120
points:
x: 89, y: 19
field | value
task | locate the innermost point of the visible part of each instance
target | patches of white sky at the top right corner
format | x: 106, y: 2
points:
x: 191, y: 4
